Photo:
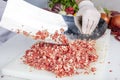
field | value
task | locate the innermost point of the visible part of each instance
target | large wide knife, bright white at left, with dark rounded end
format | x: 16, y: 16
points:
x: 34, y: 19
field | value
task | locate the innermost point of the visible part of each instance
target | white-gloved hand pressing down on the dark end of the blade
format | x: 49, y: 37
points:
x: 90, y: 17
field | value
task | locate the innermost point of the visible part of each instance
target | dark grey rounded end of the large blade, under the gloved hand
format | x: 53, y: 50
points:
x: 74, y: 33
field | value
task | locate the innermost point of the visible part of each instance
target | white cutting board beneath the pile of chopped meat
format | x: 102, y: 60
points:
x: 17, y: 69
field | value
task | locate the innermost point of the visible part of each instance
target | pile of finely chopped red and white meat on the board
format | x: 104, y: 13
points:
x: 62, y: 60
